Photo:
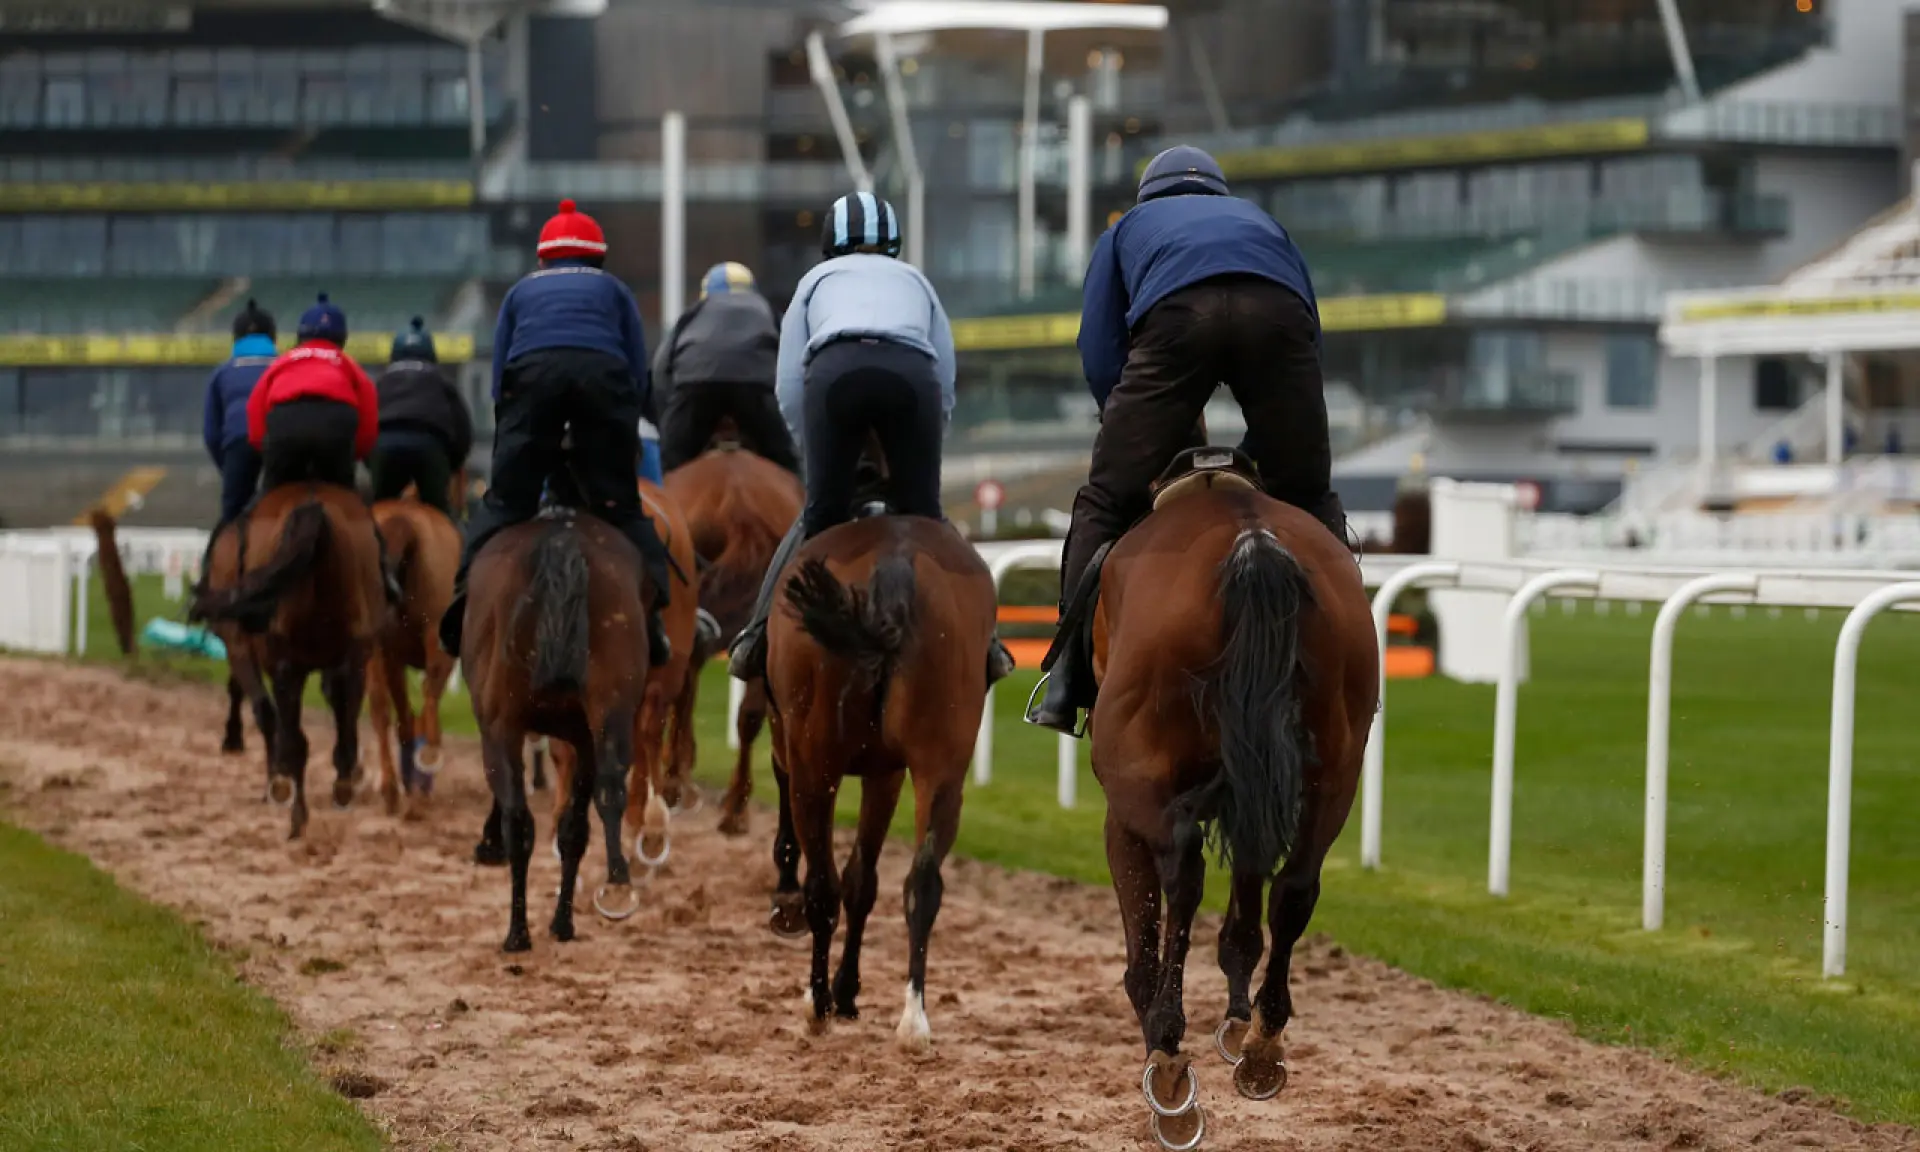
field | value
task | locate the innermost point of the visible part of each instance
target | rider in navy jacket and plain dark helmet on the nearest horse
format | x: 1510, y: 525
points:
x: 1189, y: 291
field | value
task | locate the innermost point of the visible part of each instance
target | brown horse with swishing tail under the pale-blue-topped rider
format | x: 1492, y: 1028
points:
x: 873, y: 671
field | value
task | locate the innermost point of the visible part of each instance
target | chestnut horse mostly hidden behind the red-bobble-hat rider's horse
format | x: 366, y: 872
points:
x: 663, y: 731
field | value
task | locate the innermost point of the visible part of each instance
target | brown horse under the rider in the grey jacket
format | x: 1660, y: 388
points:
x: 738, y: 508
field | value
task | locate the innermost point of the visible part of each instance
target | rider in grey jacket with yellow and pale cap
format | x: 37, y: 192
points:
x: 719, y: 362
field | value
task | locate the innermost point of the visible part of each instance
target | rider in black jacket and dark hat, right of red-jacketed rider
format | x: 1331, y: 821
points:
x: 425, y: 427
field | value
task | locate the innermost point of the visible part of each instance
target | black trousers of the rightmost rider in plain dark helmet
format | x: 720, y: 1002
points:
x: 1247, y: 333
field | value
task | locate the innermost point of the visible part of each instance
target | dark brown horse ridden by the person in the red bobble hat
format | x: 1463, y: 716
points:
x: 556, y: 644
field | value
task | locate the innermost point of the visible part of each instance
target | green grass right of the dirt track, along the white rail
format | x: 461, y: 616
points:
x: 1733, y: 982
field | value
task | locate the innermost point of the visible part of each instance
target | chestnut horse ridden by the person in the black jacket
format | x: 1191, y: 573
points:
x: 425, y: 550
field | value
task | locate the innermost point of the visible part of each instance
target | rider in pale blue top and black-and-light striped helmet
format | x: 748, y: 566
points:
x: 865, y: 348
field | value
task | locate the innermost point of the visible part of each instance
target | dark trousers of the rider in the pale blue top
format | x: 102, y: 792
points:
x: 861, y: 387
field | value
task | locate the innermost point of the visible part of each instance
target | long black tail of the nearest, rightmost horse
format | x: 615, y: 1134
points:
x: 1255, y: 692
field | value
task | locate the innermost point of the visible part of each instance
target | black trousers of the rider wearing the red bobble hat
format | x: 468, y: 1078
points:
x: 542, y: 398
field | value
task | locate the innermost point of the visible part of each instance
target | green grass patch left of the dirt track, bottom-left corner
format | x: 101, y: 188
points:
x: 126, y: 1032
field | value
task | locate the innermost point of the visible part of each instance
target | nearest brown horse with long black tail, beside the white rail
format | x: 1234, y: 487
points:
x: 1257, y: 615
